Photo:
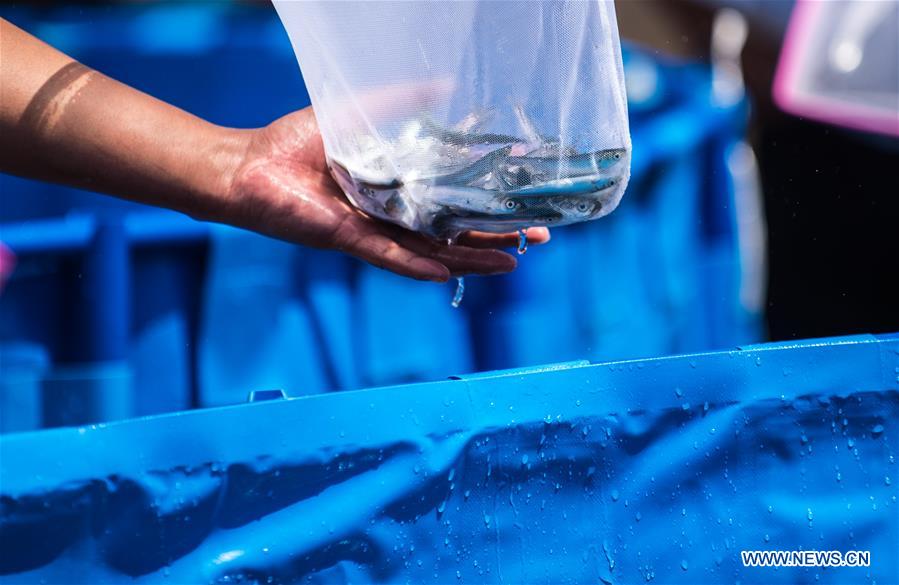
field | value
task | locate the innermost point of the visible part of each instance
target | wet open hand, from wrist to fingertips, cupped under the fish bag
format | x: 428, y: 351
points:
x: 282, y: 188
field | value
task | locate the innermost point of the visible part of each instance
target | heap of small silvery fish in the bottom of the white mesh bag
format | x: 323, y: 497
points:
x: 444, y: 181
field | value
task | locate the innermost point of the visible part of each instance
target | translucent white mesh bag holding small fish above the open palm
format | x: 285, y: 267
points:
x: 449, y: 116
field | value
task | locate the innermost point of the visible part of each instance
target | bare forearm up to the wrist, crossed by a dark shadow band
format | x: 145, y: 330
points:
x: 63, y: 122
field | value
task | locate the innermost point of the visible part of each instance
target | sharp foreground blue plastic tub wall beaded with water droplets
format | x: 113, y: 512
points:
x: 658, y: 470
